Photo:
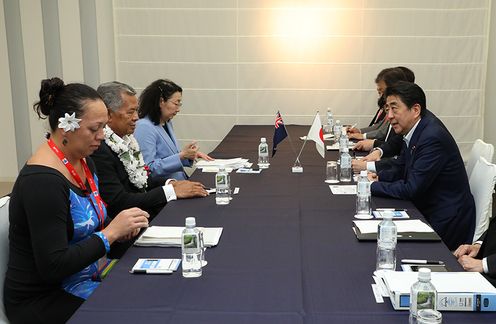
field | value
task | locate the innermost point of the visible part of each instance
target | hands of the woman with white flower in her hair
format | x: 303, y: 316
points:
x: 126, y: 224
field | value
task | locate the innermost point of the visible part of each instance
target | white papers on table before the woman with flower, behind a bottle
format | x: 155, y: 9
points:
x: 170, y: 236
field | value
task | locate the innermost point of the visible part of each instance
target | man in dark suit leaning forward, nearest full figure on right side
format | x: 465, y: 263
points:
x: 430, y: 170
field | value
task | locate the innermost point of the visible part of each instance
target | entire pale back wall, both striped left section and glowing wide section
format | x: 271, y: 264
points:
x: 237, y: 66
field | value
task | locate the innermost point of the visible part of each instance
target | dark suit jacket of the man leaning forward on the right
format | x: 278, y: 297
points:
x: 431, y: 173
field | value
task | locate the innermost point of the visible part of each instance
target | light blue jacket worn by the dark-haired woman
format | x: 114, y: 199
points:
x: 160, y: 152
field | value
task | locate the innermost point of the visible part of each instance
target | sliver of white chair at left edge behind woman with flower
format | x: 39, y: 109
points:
x: 4, y: 249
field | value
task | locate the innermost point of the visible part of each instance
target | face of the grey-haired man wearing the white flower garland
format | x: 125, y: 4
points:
x: 123, y: 121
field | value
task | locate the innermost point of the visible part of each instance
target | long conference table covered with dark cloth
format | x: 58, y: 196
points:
x: 287, y: 253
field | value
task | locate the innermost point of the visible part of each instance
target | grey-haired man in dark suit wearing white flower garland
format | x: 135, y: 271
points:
x: 123, y: 178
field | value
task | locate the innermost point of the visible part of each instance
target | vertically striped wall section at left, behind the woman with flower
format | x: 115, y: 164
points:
x: 44, y: 39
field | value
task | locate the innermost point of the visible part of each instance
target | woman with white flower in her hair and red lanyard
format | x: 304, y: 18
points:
x: 59, y: 231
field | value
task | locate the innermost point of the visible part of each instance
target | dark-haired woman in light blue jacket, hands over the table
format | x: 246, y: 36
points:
x: 159, y: 103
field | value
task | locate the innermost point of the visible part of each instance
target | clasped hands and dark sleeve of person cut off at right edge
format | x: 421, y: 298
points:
x: 480, y: 256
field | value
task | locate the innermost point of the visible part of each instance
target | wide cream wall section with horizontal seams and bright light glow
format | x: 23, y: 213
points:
x: 239, y: 61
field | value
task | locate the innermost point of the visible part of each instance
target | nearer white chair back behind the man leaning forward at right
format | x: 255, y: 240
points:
x: 482, y: 183
